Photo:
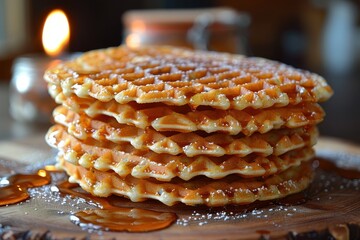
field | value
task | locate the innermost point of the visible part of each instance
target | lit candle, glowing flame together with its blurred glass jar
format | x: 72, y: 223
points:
x: 29, y: 99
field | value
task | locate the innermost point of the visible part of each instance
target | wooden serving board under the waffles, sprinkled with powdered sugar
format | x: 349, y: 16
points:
x: 329, y: 203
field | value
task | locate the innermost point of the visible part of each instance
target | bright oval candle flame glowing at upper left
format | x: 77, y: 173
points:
x: 56, y: 33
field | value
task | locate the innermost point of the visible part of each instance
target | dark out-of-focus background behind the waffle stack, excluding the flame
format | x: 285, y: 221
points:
x: 318, y: 35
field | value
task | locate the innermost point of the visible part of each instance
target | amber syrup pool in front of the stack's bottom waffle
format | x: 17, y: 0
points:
x: 113, y: 218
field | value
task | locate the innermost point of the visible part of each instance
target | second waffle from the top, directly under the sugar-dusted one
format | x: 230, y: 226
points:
x: 167, y: 118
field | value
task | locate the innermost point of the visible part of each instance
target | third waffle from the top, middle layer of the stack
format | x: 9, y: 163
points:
x: 191, y: 144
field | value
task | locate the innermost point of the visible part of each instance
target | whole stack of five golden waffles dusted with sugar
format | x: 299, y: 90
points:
x: 186, y: 126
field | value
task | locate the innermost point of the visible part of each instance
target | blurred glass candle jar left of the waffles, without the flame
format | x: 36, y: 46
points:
x: 29, y: 98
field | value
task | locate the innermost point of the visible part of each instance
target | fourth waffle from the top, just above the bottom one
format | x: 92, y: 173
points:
x: 125, y: 160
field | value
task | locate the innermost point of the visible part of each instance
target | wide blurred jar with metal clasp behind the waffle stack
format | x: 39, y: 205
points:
x: 218, y: 29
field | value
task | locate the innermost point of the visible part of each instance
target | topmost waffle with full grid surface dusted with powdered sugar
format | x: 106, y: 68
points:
x: 176, y: 76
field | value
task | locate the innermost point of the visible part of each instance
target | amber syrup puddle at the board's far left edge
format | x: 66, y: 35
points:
x: 17, y: 185
